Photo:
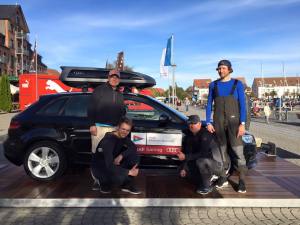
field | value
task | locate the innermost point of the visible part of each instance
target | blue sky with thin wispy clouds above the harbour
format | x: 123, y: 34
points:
x: 247, y: 32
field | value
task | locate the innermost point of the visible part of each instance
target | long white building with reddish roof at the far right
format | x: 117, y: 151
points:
x: 287, y: 87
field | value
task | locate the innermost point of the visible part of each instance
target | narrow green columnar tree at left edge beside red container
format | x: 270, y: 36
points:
x: 5, y: 95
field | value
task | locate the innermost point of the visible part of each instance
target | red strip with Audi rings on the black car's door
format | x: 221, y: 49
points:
x: 158, y: 149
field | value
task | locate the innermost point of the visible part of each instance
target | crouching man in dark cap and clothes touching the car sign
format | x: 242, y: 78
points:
x: 201, y: 157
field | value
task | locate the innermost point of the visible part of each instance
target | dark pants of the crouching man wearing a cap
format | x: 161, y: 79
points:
x: 201, y: 170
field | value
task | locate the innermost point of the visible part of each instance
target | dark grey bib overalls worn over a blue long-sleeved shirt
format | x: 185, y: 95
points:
x: 226, y: 123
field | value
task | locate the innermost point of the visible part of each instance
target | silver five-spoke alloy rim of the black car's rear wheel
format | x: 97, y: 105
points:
x: 43, y: 162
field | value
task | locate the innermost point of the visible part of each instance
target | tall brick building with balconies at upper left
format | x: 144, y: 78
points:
x: 16, y: 55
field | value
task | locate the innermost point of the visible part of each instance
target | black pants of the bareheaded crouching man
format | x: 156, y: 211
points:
x: 101, y: 173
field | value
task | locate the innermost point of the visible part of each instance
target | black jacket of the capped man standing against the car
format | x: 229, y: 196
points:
x: 106, y: 106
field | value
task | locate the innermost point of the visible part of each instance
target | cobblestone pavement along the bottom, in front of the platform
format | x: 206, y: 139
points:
x: 151, y: 216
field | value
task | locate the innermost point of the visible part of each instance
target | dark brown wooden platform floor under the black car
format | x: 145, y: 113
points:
x: 273, y: 178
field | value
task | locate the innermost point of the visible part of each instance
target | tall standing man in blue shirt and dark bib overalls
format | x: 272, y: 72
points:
x: 229, y: 116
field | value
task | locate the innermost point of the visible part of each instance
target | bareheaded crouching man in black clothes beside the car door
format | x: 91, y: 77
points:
x: 115, y: 161
